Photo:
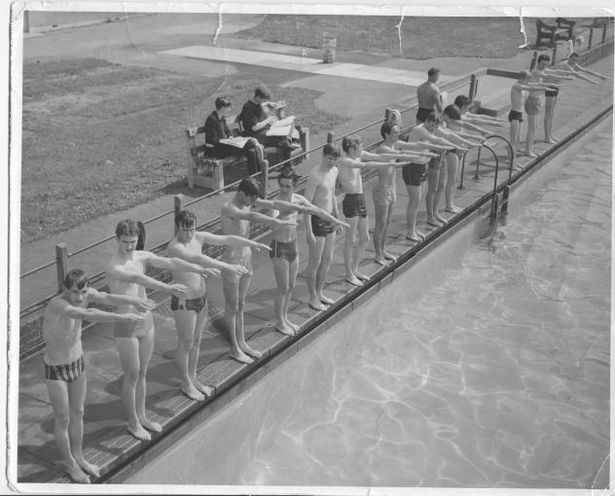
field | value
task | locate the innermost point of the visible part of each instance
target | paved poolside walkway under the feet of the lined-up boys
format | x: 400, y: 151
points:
x: 106, y: 440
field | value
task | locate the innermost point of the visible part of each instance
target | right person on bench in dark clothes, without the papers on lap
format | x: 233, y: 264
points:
x: 256, y: 121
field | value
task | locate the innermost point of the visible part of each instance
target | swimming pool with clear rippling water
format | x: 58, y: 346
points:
x: 486, y: 365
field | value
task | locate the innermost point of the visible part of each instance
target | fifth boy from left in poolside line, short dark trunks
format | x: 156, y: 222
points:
x: 283, y: 252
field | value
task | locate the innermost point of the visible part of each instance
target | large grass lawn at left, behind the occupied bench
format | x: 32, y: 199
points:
x: 100, y: 137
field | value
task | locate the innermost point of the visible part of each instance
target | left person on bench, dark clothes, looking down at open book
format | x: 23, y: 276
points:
x: 217, y: 129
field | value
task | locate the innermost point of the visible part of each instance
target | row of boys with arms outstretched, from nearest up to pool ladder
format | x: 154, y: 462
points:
x: 420, y: 158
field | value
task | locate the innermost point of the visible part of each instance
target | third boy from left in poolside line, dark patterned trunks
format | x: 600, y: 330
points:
x: 190, y: 312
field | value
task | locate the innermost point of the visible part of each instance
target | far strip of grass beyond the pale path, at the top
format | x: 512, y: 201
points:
x: 421, y: 37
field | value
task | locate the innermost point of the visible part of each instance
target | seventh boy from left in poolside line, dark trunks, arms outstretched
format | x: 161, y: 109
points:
x: 353, y: 161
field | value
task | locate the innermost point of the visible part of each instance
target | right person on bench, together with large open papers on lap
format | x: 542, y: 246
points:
x: 260, y: 122
